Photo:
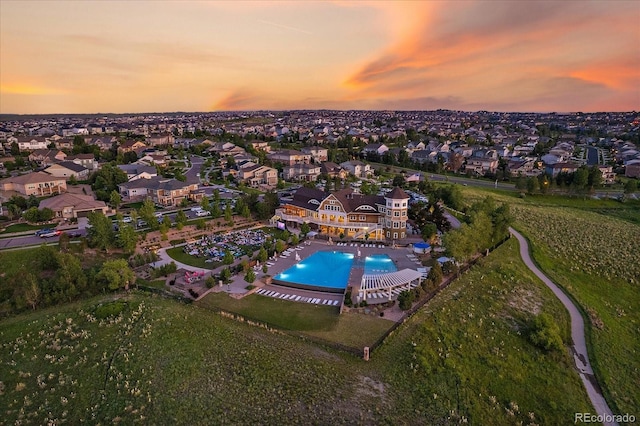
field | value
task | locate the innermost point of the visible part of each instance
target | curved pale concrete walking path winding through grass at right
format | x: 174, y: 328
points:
x: 579, y: 348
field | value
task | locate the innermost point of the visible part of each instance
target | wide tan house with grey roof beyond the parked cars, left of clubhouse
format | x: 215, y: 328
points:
x: 164, y: 191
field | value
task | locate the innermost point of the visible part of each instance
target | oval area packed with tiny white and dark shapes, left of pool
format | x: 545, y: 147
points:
x: 213, y: 247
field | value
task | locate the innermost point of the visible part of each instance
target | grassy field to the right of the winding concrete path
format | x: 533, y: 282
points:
x: 590, y: 248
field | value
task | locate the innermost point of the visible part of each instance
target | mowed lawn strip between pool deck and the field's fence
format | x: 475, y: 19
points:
x: 314, y: 320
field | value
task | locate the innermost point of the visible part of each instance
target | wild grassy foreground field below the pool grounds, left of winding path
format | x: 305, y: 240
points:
x: 138, y: 358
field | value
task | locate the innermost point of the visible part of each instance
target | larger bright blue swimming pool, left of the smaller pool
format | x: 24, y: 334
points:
x: 323, y: 270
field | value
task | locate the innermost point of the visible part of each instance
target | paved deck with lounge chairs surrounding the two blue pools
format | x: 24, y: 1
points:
x: 280, y: 264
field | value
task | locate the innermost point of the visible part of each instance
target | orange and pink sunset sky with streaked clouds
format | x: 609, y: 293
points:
x: 161, y: 56
